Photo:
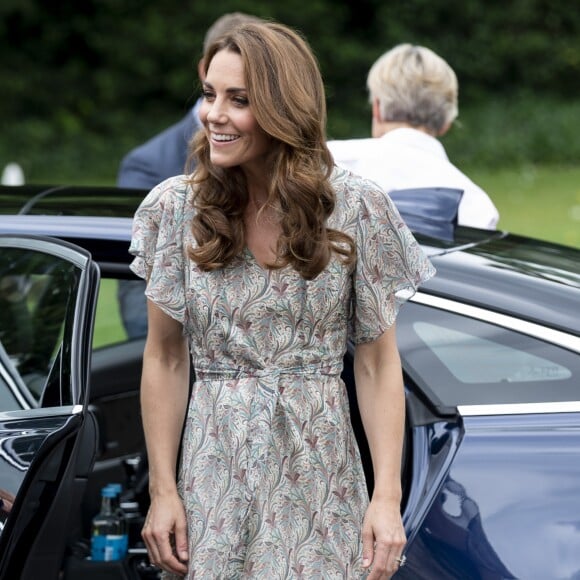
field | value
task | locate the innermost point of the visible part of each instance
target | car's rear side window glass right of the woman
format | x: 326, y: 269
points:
x: 457, y: 360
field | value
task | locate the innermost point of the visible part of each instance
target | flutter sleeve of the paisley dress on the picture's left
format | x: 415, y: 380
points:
x: 157, y: 244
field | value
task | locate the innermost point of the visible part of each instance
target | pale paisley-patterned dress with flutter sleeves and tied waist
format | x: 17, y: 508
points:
x: 271, y: 476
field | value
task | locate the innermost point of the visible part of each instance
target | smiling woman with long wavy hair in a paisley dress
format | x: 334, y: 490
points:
x: 260, y: 265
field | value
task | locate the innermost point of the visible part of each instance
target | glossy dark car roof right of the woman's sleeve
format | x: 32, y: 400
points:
x: 537, y: 282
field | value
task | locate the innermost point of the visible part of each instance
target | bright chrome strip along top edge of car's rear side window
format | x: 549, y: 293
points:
x: 557, y: 337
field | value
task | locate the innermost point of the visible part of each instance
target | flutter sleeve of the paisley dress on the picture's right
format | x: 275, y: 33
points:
x: 390, y: 265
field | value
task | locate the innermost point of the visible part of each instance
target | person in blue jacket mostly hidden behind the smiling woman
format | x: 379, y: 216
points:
x: 163, y: 156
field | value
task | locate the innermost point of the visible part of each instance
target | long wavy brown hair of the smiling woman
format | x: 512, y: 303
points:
x: 286, y: 94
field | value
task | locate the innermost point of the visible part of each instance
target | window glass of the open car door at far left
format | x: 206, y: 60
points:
x: 37, y: 304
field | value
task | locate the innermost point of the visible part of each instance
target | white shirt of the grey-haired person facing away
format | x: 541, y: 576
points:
x: 407, y: 158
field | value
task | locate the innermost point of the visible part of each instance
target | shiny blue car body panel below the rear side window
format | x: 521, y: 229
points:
x: 509, y: 506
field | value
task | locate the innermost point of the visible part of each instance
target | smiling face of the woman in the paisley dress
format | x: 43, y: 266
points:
x: 234, y: 136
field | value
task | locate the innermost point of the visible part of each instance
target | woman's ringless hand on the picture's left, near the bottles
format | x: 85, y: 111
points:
x: 165, y: 534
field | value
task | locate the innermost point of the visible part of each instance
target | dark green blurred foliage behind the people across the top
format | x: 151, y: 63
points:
x: 84, y: 82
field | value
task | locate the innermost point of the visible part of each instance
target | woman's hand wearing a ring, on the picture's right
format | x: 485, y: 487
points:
x: 383, y: 538
